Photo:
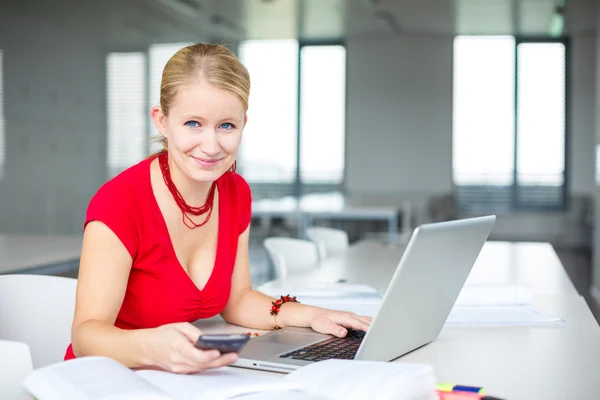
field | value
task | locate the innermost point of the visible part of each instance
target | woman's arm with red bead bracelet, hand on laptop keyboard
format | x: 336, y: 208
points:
x: 250, y: 308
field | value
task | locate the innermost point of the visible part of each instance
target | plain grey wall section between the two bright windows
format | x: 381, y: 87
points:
x: 399, y: 115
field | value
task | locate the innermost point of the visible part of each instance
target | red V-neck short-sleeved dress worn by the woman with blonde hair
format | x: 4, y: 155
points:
x: 159, y: 291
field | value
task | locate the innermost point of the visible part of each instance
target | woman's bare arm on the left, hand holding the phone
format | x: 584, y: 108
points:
x: 102, y: 282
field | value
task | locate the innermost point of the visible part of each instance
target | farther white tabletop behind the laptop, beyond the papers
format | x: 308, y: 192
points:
x: 373, y: 263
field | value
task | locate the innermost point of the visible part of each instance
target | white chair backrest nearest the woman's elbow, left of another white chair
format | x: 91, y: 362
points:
x: 289, y: 254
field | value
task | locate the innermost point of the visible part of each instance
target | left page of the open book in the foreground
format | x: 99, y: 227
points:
x: 90, y: 378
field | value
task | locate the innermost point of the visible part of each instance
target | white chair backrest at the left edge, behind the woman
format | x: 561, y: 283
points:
x: 38, y: 310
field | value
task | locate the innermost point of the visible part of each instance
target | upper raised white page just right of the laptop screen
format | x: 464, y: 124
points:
x: 495, y: 295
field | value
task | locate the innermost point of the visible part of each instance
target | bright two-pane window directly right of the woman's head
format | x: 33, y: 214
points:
x: 295, y: 137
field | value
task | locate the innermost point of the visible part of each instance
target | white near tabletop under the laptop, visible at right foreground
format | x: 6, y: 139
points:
x: 523, y: 363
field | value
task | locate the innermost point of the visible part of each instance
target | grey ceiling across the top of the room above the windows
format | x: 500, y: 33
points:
x: 133, y: 22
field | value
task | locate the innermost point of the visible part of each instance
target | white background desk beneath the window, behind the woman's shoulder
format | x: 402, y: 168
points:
x: 309, y: 208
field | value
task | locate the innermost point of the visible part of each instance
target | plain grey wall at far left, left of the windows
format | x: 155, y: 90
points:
x: 54, y: 85
